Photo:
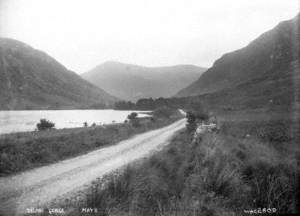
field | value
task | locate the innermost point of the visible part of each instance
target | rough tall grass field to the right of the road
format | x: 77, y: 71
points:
x: 251, y: 165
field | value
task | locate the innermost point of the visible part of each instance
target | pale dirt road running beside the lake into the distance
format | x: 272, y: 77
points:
x: 39, y: 186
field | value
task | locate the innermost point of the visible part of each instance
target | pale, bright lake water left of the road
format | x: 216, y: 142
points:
x: 20, y: 121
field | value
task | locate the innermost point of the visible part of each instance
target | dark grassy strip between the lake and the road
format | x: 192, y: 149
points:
x: 22, y: 151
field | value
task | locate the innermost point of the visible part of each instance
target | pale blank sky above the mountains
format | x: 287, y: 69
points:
x: 82, y: 34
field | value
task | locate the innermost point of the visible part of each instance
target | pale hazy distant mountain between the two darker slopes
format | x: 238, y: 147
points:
x: 132, y: 82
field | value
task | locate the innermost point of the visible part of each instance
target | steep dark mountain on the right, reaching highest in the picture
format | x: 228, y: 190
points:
x: 268, y: 65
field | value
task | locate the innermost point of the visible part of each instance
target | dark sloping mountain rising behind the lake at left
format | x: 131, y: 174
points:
x: 30, y: 79
